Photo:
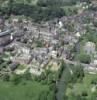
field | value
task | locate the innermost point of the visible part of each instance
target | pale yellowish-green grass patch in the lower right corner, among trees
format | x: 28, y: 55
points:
x: 86, y: 85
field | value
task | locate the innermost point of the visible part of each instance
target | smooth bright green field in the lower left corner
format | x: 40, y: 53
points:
x: 29, y: 91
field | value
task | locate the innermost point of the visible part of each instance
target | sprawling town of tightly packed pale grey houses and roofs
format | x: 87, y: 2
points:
x: 39, y: 46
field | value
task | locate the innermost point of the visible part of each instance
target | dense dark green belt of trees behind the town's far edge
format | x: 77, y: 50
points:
x: 36, y: 12
